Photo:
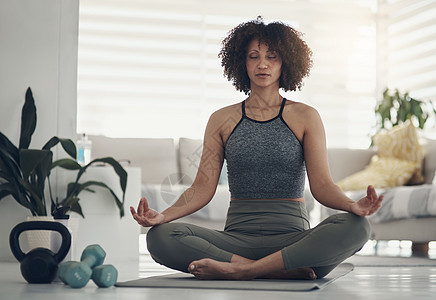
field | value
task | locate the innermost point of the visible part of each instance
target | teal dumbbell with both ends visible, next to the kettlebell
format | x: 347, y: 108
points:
x: 77, y: 274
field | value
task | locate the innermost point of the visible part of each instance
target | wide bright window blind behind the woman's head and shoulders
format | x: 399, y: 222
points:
x: 150, y: 68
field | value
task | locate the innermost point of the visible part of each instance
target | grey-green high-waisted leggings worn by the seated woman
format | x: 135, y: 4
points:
x: 257, y: 228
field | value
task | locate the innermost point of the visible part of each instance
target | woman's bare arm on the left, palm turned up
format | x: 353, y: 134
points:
x: 204, y: 186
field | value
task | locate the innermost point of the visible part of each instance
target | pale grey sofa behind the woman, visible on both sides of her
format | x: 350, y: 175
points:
x: 169, y: 166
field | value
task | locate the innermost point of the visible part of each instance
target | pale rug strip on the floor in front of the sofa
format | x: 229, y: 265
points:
x: 390, y: 261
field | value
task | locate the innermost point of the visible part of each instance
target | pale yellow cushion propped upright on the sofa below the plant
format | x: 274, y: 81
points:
x: 402, y: 142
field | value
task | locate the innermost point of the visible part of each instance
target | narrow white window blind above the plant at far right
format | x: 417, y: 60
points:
x: 407, y: 55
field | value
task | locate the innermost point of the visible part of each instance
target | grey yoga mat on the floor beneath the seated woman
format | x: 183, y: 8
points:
x: 186, y: 281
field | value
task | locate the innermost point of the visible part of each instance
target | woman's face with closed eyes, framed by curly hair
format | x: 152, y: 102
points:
x: 263, y: 66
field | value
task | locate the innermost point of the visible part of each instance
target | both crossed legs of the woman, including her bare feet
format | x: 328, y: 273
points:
x: 316, y: 252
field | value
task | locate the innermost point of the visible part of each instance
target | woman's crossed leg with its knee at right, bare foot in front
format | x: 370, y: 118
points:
x: 341, y: 235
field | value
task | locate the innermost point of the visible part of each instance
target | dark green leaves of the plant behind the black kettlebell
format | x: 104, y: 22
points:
x: 25, y: 173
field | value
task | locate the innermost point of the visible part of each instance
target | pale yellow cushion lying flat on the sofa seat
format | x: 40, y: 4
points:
x: 382, y: 172
